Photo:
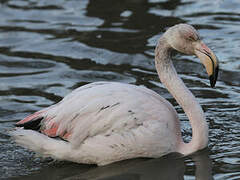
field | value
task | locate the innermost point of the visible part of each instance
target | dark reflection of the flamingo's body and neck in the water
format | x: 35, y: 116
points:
x: 166, y: 168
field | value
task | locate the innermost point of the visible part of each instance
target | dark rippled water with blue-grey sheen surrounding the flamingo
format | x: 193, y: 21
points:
x: 48, y: 48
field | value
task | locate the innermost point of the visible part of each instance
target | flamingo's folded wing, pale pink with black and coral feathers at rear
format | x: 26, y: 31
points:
x: 98, y: 109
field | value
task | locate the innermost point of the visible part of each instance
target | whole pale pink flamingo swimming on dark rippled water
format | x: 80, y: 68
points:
x: 104, y: 122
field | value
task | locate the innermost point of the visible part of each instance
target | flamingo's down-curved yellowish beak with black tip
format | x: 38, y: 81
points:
x: 209, y: 60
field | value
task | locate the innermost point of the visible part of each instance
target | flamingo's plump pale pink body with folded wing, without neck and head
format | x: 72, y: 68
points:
x: 116, y: 120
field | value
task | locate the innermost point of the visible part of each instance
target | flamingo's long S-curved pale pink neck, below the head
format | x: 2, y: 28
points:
x: 183, y: 96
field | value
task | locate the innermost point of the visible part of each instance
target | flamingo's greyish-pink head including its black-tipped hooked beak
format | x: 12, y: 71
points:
x: 185, y: 38
